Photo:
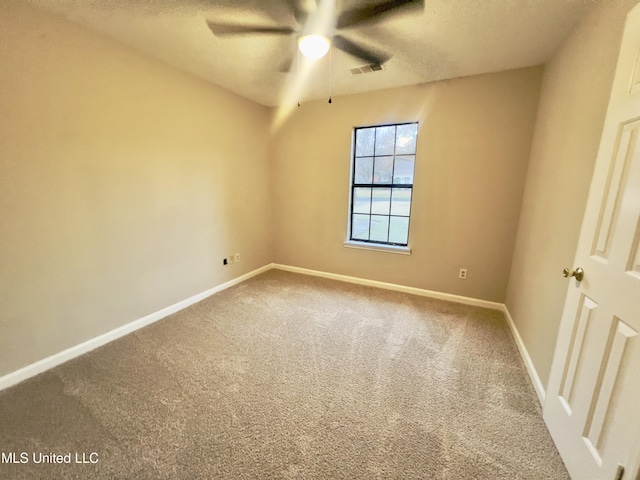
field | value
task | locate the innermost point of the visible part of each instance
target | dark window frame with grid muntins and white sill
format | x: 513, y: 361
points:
x: 386, y: 246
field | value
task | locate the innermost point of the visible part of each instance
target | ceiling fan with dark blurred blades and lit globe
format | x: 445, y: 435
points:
x: 317, y: 23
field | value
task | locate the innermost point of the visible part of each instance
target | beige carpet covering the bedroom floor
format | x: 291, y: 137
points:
x: 289, y: 376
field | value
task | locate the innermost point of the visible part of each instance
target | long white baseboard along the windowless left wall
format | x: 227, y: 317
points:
x: 56, y: 359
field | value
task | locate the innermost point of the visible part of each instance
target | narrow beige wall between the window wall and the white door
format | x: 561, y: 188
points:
x: 573, y: 103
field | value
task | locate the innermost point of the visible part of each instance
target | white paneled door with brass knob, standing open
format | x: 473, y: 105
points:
x: 592, y: 406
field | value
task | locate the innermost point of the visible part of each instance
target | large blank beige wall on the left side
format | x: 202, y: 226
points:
x: 123, y: 184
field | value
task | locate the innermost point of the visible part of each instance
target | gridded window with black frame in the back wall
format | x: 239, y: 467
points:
x: 382, y: 184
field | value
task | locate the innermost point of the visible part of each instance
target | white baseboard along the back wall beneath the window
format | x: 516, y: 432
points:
x: 476, y: 302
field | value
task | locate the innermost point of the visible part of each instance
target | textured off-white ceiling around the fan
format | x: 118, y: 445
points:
x: 450, y: 38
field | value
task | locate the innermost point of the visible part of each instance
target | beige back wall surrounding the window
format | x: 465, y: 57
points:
x: 474, y: 142
